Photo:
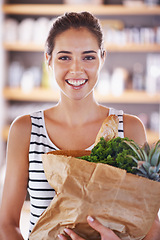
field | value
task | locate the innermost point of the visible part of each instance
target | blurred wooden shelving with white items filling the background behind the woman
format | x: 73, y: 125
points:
x: 131, y: 38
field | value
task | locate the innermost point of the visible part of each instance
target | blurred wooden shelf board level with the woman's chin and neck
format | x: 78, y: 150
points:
x: 49, y: 95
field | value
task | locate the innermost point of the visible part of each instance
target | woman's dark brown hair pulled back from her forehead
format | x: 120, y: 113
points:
x: 74, y: 20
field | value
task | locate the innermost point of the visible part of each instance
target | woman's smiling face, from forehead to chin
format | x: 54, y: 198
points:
x: 76, y: 62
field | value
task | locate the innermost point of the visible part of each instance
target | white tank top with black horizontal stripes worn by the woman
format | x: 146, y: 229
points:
x: 41, y: 193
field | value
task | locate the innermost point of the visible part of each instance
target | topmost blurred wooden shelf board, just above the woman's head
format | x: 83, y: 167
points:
x: 57, y: 9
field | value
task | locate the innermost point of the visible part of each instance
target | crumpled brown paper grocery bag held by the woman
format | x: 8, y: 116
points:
x: 126, y: 203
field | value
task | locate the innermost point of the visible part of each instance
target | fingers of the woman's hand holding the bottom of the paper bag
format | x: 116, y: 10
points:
x: 106, y: 233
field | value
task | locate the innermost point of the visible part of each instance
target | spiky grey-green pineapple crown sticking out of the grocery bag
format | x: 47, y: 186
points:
x: 148, y: 160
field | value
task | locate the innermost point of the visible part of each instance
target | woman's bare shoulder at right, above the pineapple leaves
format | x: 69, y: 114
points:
x: 134, y: 129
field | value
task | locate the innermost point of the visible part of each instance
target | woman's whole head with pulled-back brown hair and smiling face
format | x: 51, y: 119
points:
x: 76, y: 46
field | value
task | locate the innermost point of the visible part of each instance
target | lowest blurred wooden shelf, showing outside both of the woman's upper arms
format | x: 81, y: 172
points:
x: 151, y: 135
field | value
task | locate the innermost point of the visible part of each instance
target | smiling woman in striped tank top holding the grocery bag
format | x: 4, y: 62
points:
x: 75, y: 54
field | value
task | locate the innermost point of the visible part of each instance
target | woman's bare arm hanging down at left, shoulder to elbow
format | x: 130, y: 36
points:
x: 15, y: 186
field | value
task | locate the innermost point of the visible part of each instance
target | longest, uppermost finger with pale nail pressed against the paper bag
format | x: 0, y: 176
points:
x: 105, y: 232
